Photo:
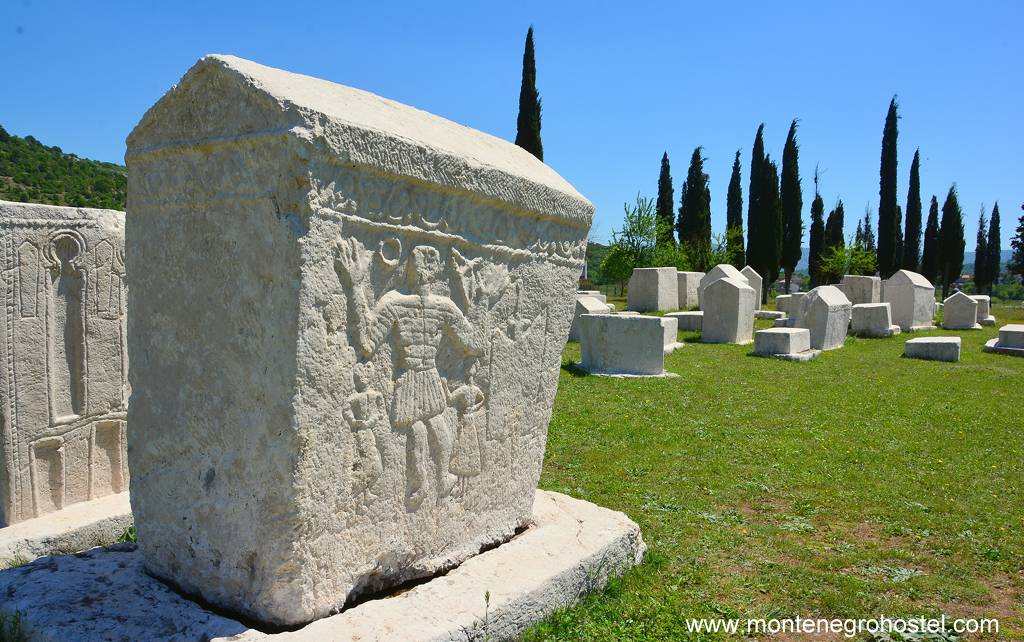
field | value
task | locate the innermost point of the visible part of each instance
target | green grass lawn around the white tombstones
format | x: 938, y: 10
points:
x: 855, y: 486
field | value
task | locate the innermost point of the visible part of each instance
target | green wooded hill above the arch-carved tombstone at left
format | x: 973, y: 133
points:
x: 31, y: 173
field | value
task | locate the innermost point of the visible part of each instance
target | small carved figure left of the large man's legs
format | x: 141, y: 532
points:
x: 364, y: 409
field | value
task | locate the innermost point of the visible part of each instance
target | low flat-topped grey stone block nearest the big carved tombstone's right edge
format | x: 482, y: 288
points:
x: 620, y: 345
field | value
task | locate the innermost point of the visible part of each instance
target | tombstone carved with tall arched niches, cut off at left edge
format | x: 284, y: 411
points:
x: 65, y: 387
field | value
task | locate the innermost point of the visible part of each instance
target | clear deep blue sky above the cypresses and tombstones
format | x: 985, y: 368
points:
x: 622, y: 82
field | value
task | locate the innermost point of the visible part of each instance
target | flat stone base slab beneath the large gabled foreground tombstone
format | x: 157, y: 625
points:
x: 573, y: 547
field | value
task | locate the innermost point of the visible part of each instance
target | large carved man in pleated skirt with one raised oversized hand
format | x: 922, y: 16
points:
x: 418, y: 323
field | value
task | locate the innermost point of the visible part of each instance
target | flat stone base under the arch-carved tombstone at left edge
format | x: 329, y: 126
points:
x: 77, y: 528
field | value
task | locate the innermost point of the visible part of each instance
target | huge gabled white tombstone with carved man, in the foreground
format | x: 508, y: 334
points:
x: 349, y: 322
